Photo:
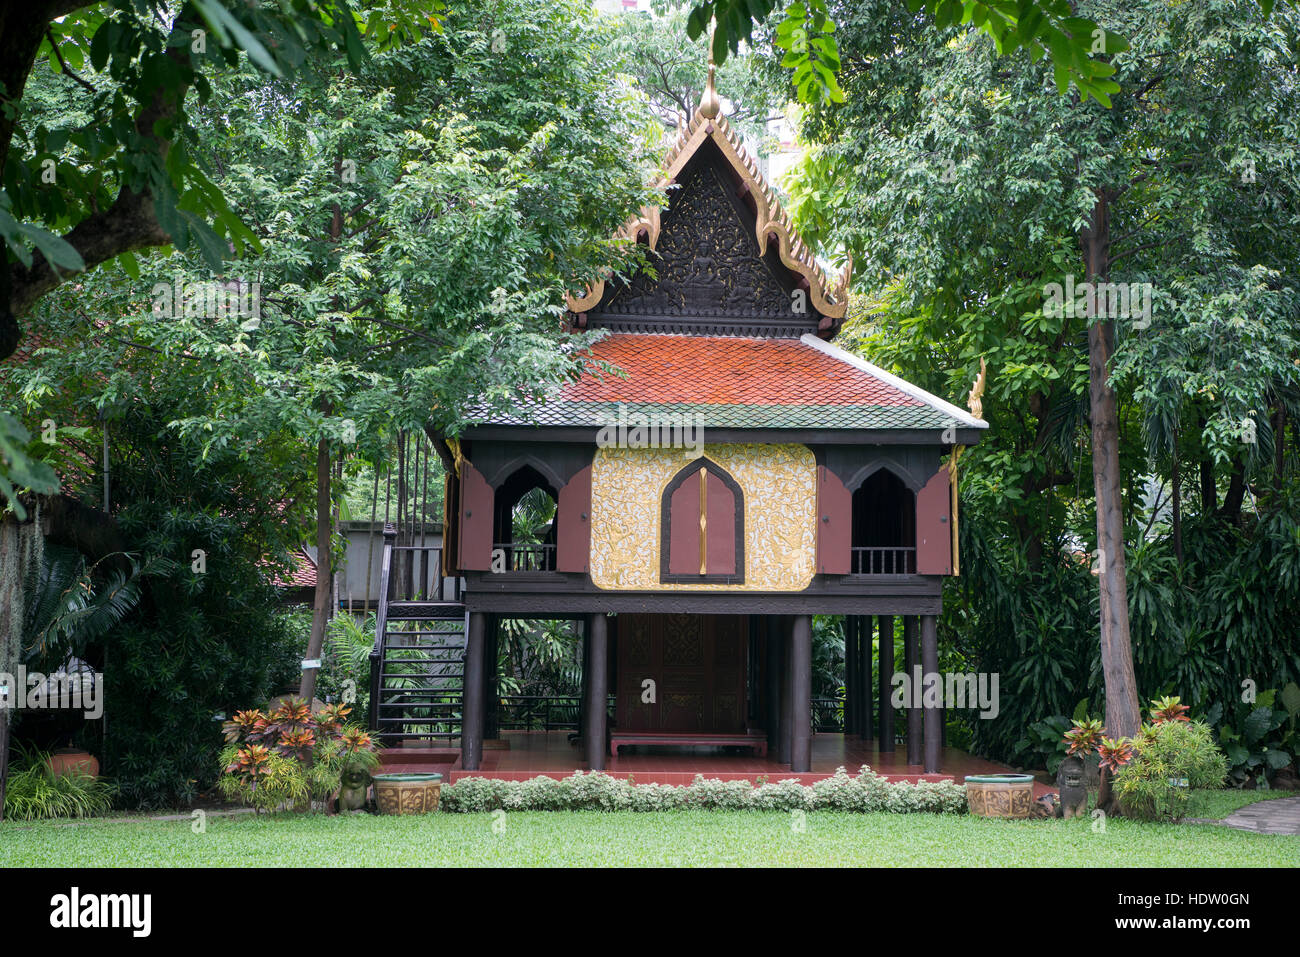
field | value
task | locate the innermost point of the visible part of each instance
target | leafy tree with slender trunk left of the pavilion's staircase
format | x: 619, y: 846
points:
x: 418, y: 222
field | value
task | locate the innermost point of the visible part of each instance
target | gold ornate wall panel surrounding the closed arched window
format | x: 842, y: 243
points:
x: 779, y: 483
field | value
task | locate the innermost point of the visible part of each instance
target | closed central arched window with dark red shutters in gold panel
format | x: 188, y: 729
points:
x: 703, y: 527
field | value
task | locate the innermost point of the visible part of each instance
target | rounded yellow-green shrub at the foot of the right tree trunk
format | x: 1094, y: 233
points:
x: 1164, y: 755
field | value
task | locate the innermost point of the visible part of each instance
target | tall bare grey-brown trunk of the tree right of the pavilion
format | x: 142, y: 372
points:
x: 1117, y: 664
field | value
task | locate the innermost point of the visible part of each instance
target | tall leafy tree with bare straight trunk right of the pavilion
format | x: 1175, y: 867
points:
x: 977, y: 188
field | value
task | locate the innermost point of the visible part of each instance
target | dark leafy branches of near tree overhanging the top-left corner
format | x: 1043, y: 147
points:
x: 77, y: 196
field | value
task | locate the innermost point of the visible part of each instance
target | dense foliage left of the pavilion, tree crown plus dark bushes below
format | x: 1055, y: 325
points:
x: 418, y: 220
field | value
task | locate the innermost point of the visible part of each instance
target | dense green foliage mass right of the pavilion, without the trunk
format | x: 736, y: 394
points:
x: 965, y: 187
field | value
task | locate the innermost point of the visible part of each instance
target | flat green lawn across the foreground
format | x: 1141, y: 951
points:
x: 673, y: 839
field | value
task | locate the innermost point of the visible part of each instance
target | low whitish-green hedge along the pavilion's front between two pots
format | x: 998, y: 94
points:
x: 595, y: 791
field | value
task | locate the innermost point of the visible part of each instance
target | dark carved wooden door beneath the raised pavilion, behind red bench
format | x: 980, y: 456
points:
x: 697, y: 664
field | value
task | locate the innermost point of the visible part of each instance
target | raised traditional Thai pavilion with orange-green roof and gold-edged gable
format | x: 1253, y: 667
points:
x: 739, y: 477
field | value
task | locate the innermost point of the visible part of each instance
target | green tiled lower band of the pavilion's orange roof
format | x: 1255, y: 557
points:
x: 720, y: 417
